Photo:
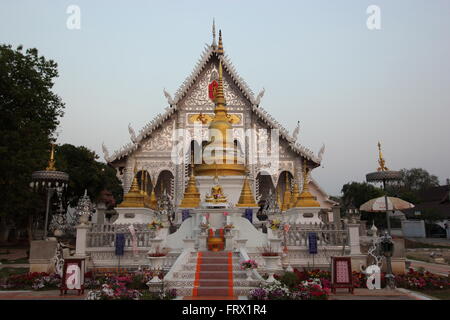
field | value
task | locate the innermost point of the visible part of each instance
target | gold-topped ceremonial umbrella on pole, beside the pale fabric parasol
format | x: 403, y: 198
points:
x: 384, y: 175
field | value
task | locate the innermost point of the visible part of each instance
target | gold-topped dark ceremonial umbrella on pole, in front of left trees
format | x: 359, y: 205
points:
x: 50, y: 180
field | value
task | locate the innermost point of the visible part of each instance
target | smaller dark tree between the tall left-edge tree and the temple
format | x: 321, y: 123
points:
x: 85, y: 172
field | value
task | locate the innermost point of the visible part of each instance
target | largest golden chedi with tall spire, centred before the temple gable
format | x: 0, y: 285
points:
x: 220, y: 149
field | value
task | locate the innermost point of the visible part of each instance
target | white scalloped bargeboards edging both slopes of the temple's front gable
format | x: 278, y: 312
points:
x: 207, y: 53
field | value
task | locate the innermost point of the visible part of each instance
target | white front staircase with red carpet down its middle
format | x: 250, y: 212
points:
x: 212, y: 274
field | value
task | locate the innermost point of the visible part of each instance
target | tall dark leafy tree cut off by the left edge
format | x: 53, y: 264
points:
x: 30, y: 114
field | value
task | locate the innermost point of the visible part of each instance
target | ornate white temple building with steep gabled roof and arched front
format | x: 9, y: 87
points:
x: 214, y: 109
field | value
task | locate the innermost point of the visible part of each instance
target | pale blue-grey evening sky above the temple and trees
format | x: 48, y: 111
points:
x: 319, y: 63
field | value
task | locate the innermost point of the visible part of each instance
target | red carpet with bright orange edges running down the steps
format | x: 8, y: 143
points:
x: 213, y: 276
